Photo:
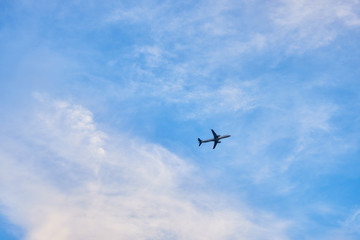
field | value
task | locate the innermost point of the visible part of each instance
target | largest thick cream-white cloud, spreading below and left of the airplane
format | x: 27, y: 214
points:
x: 69, y: 180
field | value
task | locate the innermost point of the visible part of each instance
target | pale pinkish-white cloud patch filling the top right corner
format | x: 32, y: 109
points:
x: 306, y: 24
